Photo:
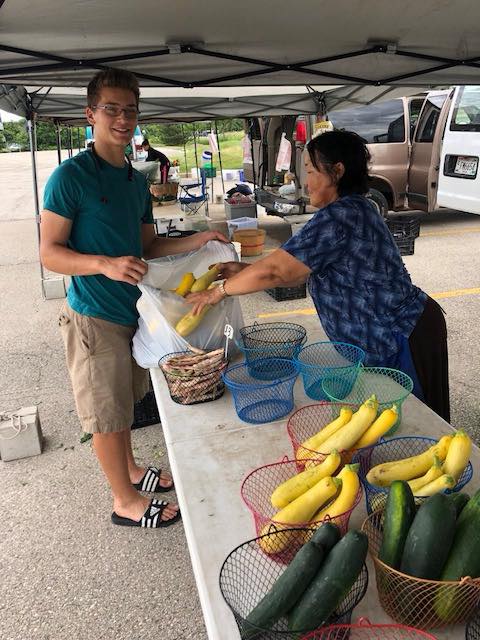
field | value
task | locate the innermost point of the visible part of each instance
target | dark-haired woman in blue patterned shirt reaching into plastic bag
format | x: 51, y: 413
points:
x: 361, y: 289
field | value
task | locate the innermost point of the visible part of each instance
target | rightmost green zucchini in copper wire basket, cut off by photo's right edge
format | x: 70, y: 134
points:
x: 463, y: 560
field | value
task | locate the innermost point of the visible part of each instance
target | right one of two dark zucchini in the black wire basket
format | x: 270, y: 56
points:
x: 331, y: 584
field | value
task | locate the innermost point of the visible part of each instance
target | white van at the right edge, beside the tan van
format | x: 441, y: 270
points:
x: 459, y: 179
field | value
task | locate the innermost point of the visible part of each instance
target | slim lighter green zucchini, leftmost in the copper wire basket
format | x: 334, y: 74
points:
x: 399, y: 514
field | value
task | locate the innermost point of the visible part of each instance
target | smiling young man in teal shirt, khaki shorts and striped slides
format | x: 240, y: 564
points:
x: 96, y: 226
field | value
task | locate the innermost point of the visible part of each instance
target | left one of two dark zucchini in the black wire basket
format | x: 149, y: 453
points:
x: 292, y: 583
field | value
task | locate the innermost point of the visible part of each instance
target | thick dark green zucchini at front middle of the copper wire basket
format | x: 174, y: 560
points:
x: 430, y: 538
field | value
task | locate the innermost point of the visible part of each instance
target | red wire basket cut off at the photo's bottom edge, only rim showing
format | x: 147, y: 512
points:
x: 364, y: 630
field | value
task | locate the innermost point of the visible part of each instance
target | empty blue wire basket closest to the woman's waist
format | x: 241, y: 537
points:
x: 323, y: 359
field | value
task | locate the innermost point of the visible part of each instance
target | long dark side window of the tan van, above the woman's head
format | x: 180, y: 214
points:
x: 375, y: 123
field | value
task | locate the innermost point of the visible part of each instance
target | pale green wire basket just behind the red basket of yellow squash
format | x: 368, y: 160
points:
x: 391, y: 386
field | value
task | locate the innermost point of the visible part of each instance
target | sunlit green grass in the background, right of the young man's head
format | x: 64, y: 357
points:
x: 230, y: 144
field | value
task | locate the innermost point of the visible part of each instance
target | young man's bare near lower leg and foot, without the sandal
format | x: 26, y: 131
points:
x: 111, y: 451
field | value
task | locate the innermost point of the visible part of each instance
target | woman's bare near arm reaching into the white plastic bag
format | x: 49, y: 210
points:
x: 277, y: 270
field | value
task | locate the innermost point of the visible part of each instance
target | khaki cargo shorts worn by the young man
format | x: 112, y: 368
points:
x: 106, y: 380
